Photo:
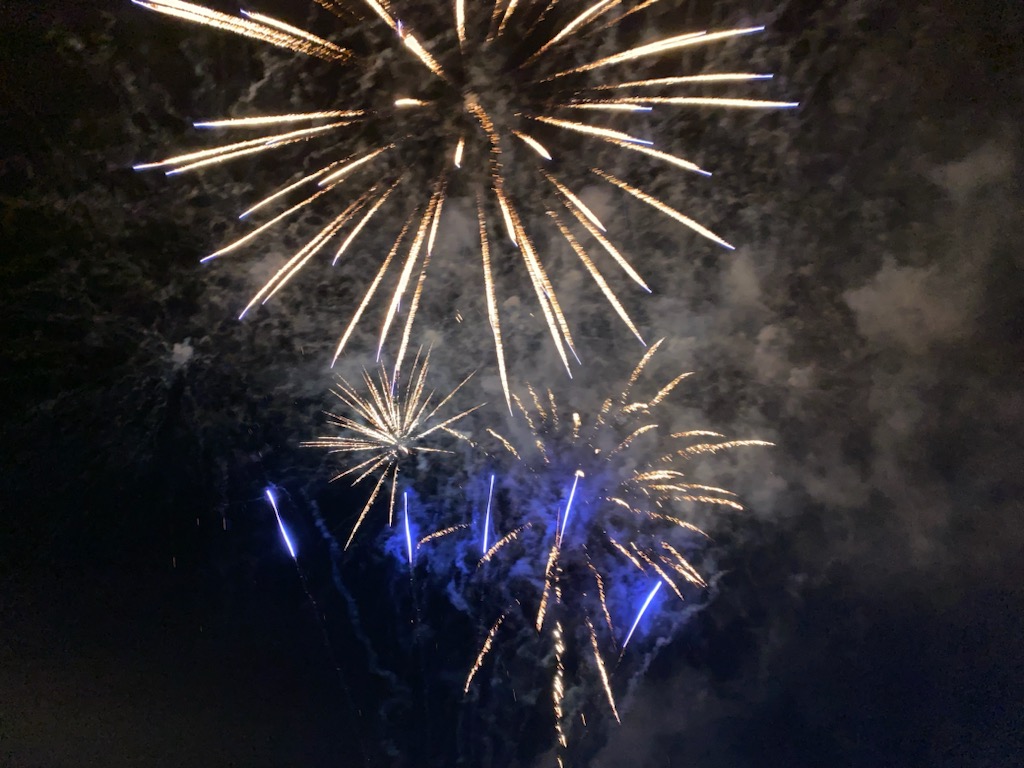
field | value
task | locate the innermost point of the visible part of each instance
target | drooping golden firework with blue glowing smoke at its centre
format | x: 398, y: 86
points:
x: 600, y: 508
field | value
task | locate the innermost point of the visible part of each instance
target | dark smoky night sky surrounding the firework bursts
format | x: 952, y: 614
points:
x: 868, y: 608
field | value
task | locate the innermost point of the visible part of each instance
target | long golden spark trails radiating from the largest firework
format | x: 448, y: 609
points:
x: 570, y: 34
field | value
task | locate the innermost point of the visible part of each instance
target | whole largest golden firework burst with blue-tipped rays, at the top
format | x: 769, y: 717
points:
x: 513, y: 76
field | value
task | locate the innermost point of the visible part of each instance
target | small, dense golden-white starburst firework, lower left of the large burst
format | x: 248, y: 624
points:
x: 385, y: 425
